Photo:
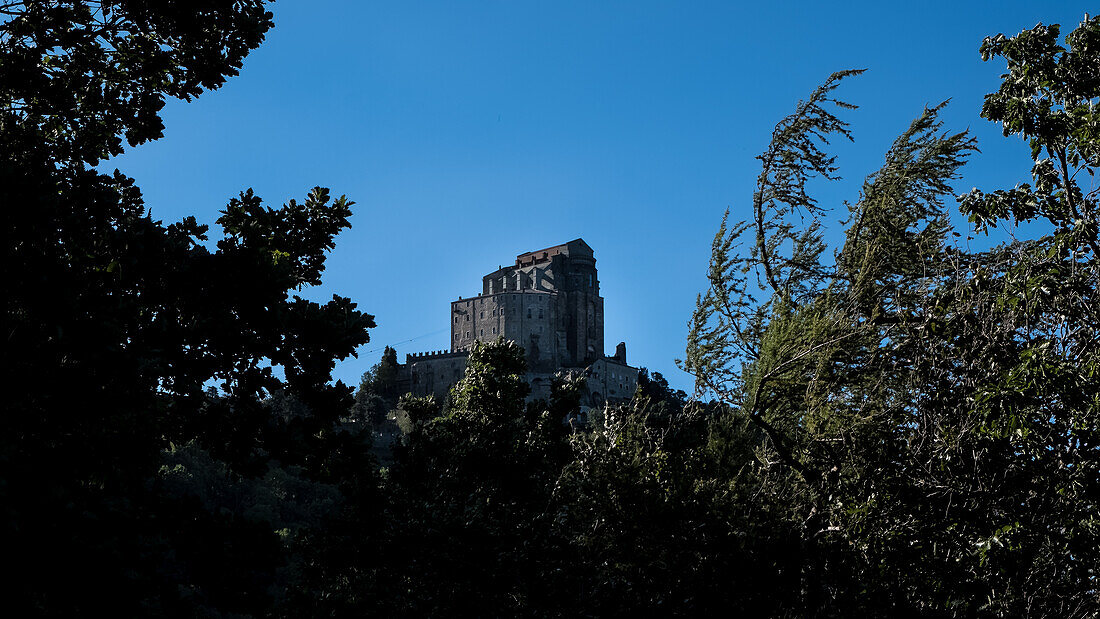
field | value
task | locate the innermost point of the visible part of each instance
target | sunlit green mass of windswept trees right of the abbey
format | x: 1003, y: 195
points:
x: 930, y: 413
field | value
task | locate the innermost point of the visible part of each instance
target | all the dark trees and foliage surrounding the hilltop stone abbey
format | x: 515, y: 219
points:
x: 900, y: 428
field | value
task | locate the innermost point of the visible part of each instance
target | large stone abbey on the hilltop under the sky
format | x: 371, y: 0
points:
x: 548, y: 303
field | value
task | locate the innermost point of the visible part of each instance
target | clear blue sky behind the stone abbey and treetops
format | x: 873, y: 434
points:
x: 470, y: 132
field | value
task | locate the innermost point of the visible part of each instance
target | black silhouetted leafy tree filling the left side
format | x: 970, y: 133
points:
x: 118, y: 325
